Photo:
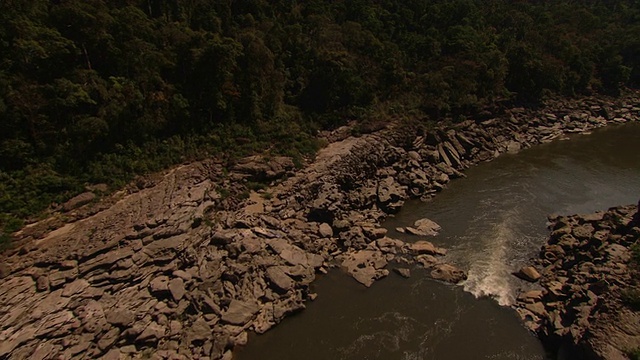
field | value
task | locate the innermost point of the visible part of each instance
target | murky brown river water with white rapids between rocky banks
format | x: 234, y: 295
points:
x: 493, y: 221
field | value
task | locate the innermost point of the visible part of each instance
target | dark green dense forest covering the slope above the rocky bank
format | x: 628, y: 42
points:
x: 98, y: 91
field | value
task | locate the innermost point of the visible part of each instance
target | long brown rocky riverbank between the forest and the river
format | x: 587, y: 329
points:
x: 177, y: 266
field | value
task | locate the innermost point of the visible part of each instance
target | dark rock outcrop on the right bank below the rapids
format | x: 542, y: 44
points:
x: 585, y: 274
